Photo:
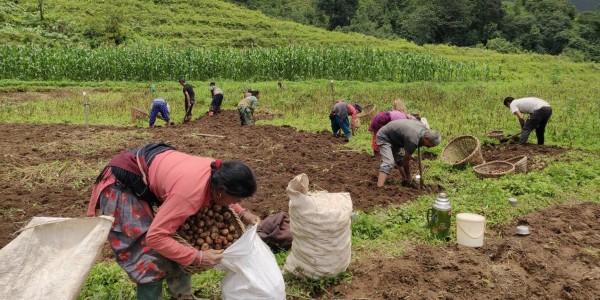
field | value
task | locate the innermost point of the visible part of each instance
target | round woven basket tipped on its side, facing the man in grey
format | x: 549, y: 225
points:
x: 462, y: 150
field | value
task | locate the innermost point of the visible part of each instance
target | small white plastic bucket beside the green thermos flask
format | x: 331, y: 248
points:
x: 470, y: 229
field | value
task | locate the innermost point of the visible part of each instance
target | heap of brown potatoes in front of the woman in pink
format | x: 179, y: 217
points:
x: 213, y: 227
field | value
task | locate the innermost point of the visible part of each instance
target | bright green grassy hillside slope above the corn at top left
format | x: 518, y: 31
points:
x: 193, y: 23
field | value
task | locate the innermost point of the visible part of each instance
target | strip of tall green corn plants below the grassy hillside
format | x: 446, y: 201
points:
x: 285, y: 63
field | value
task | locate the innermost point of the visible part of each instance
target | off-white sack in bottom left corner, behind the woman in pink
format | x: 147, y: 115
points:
x: 51, y: 257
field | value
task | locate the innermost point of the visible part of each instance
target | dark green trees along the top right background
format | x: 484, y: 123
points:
x: 541, y: 26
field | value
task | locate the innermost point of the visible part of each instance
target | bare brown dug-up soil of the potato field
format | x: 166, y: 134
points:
x: 558, y: 260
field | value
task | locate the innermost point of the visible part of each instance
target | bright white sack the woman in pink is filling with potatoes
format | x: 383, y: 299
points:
x: 251, y: 270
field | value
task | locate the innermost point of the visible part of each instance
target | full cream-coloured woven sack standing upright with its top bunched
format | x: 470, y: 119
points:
x: 320, y: 225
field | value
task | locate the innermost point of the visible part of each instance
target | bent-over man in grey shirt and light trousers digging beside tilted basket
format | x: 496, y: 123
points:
x: 397, y: 141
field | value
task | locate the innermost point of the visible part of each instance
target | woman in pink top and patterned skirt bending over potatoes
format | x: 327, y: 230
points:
x: 179, y: 184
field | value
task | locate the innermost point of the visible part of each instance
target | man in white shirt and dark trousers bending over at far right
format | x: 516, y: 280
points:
x: 539, y: 112
